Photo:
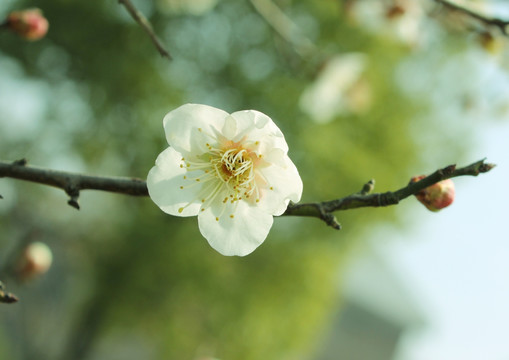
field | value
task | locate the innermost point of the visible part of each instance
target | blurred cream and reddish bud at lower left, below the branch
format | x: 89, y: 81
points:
x: 35, y: 260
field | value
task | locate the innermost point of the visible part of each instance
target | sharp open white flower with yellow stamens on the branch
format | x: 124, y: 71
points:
x: 232, y: 171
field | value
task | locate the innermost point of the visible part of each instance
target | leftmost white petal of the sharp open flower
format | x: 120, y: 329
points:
x: 164, y: 181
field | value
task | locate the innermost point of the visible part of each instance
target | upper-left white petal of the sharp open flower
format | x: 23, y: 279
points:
x: 182, y: 127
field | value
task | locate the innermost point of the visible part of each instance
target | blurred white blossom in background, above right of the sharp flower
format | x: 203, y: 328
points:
x: 339, y: 89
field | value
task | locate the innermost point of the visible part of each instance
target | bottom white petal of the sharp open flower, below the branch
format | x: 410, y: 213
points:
x: 239, y: 235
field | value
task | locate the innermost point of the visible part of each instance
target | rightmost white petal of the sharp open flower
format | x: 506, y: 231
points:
x: 283, y: 182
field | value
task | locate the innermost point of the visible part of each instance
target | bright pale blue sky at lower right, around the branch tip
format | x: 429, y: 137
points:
x: 456, y: 263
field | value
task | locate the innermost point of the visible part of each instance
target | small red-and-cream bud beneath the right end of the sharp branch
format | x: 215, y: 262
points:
x: 436, y: 196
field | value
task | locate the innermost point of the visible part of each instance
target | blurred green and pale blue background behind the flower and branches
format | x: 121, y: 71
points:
x: 361, y: 89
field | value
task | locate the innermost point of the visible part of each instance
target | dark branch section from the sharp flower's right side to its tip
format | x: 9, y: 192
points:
x: 324, y: 210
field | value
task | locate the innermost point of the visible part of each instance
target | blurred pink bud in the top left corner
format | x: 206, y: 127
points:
x: 29, y: 24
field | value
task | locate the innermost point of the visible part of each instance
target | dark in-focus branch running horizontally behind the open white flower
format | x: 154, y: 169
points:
x: 73, y: 183
